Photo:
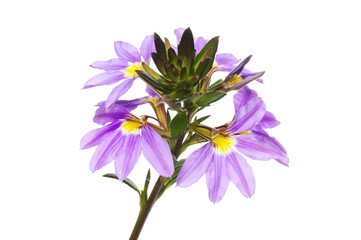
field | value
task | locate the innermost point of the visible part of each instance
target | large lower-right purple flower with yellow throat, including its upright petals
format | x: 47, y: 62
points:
x: 220, y: 159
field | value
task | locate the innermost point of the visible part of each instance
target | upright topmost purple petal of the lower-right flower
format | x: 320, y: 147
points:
x: 249, y: 108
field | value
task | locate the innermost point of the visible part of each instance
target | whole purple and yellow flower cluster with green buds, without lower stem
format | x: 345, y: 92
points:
x: 181, y: 87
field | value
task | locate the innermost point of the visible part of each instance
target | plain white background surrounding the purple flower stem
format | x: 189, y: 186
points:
x: 310, y: 51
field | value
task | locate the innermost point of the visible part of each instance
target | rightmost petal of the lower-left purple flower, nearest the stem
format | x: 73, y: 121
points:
x: 156, y: 151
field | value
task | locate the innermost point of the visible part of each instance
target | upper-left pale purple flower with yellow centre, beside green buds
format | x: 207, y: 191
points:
x: 123, y: 67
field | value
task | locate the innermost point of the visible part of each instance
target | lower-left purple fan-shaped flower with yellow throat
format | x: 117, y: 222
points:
x: 123, y: 140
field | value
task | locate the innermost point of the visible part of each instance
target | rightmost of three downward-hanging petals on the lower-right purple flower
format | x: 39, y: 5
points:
x: 240, y: 173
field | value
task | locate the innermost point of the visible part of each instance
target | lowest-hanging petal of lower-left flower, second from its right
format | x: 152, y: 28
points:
x: 127, y: 155
